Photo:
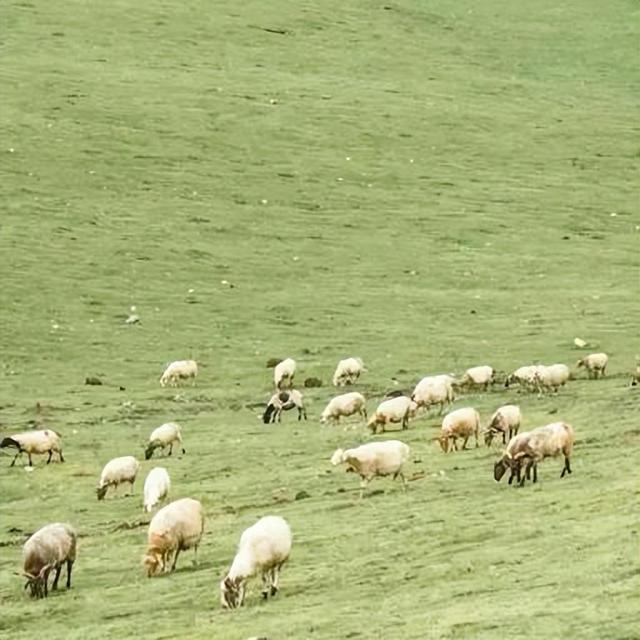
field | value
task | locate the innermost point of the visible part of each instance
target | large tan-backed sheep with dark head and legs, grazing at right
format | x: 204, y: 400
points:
x: 543, y: 442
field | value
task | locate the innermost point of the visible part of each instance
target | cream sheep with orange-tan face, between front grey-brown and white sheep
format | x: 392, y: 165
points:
x: 176, y: 527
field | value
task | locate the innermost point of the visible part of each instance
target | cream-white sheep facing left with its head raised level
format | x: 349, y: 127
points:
x: 374, y: 459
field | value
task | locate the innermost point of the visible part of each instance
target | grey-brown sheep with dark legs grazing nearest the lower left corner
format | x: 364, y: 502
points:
x: 48, y: 548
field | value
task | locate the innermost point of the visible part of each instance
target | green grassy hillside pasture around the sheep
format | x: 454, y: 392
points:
x: 427, y: 185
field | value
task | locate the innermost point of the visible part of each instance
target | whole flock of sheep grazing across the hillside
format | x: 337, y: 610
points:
x: 264, y: 547
